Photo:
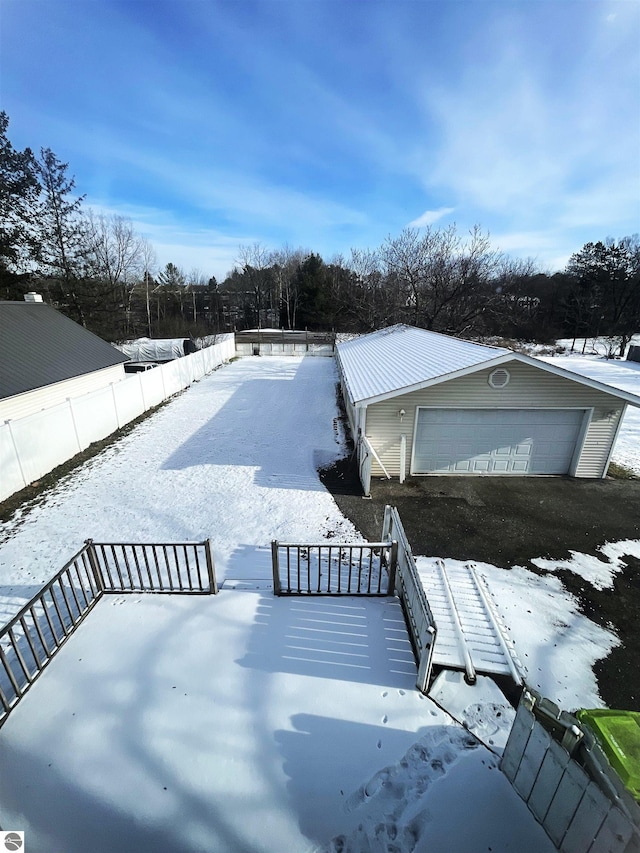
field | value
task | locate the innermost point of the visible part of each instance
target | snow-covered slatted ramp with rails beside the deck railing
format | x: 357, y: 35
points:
x: 470, y: 635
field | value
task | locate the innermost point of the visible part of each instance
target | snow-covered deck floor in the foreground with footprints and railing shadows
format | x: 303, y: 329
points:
x: 242, y: 722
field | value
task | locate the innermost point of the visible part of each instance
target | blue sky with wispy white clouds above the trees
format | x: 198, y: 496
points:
x: 332, y: 124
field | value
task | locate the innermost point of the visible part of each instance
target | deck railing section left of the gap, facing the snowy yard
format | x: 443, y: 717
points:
x: 162, y: 568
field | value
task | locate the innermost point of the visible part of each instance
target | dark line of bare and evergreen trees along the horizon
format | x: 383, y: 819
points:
x: 104, y: 275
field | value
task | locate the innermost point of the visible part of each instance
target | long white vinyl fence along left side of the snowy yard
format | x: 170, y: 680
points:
x: 32, y: 446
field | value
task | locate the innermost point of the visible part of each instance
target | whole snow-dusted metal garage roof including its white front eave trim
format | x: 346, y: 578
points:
x: 401, y: 359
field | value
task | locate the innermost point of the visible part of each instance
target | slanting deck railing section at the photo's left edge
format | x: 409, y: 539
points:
x: 40, y: 628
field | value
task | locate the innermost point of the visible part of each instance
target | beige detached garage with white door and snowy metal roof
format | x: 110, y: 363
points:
x: 420, y: 402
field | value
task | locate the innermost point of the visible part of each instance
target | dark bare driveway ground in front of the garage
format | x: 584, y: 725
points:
x: 509, y: 521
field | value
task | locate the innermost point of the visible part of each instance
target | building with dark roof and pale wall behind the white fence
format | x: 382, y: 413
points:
x: 46, y: 358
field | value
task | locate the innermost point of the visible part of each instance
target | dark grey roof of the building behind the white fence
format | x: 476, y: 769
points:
x: 40, y: 346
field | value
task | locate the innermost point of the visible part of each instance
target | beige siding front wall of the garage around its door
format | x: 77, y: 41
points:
x: 528, y: 388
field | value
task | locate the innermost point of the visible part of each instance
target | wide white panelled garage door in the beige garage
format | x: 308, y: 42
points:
x: 495, y: 441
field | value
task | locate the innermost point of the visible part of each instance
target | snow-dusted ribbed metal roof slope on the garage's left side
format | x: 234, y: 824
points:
x: 402, y: 356
